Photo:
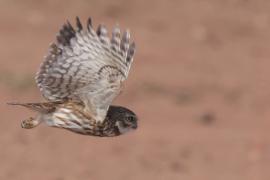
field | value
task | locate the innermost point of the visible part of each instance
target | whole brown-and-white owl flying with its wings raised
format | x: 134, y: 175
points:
x: 80, y: 76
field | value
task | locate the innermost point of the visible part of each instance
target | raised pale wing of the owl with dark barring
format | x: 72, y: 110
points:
x: 87, y: 66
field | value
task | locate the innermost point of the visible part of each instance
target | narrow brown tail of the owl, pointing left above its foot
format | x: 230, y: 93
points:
x: 46, y: 107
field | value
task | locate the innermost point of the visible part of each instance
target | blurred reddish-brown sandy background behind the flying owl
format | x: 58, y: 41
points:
x: 199, y: 83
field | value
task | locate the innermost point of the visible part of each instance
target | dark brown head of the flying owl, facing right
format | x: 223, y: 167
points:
x: 125, y: 120
